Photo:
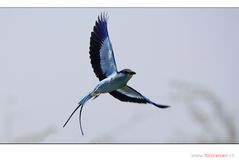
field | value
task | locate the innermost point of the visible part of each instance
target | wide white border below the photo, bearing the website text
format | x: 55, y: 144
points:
x: 117, y: 155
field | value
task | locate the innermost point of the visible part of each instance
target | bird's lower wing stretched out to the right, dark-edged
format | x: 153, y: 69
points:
x: 128, y: 94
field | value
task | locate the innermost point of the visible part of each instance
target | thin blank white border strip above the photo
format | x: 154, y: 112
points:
x: 119, y: 3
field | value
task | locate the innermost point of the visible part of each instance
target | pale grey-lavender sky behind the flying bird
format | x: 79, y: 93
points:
x: 45, y: 69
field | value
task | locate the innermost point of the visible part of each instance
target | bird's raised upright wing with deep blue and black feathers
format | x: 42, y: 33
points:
x: 101, y: 51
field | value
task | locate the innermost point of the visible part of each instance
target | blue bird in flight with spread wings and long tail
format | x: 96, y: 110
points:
x: 103, y: 63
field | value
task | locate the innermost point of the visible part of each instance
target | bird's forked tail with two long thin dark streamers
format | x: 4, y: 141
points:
x: 81, y: 104
